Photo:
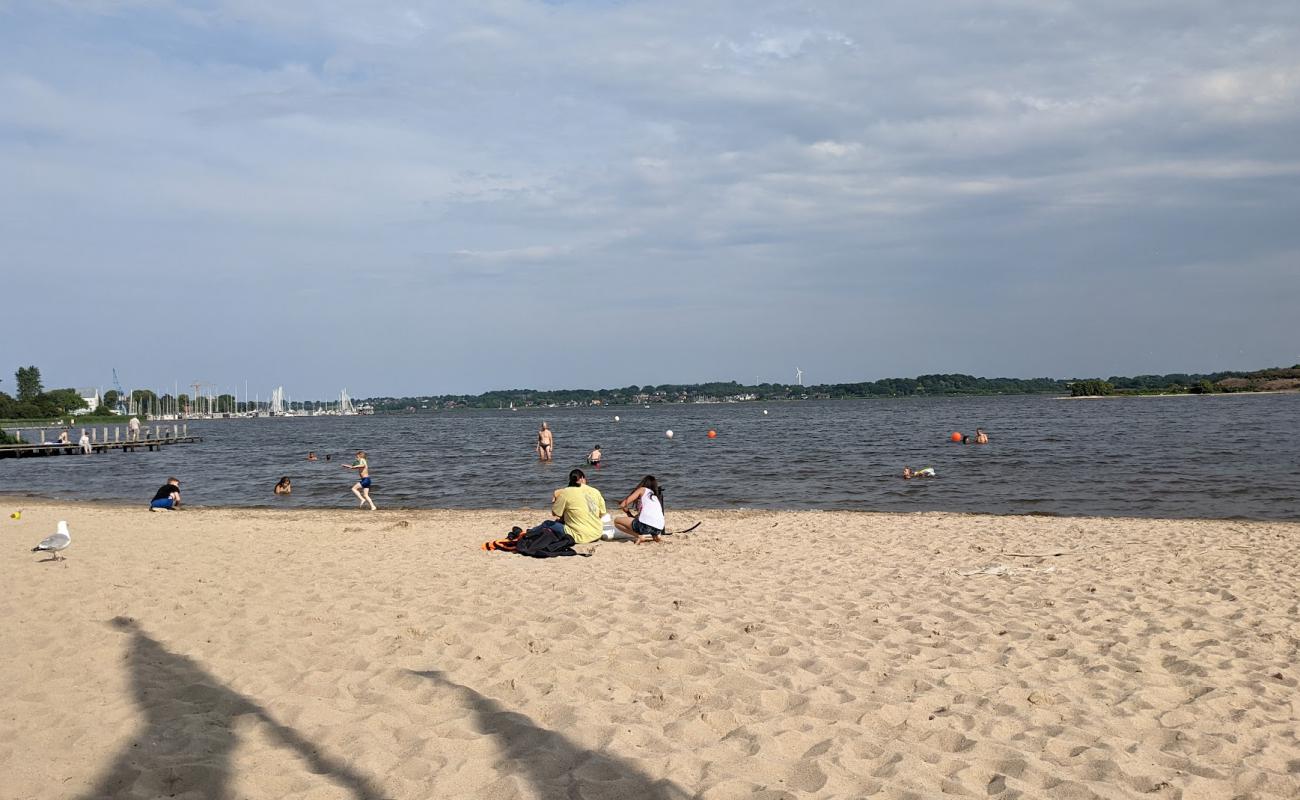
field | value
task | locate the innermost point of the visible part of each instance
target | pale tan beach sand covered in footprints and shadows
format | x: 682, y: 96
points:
x: 233, y: 654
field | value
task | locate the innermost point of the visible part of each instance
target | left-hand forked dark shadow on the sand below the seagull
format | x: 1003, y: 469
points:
x: 189, y: 736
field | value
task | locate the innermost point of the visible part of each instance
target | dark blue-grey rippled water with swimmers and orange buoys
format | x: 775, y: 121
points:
x: 1215, y: 457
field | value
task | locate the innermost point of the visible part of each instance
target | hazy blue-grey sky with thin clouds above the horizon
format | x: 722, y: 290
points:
x: 428, y: 198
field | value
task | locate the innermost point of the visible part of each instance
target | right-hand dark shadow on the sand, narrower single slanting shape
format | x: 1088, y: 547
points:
x: 556, y: 767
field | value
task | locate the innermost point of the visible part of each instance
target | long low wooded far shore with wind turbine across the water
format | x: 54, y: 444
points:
x: 924, y: 386
